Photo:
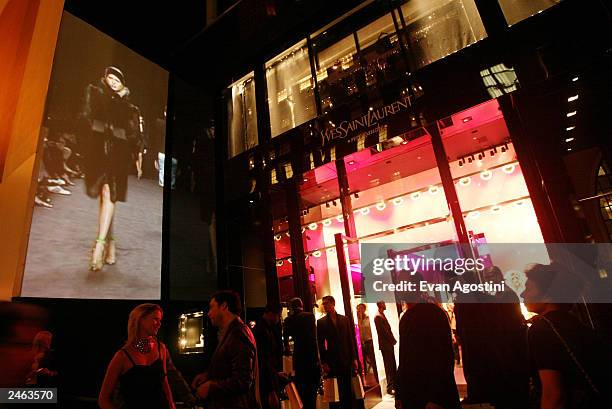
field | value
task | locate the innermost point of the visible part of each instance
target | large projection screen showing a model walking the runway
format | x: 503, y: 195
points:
x: 97, y: 219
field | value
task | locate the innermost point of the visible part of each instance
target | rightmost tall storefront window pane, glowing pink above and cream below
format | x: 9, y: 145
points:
x: 490, y: 185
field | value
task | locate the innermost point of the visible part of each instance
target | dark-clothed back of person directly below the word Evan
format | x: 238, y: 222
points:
x: 426, y: 363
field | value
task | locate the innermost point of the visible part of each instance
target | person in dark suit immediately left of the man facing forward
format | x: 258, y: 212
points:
x: 300, y: 326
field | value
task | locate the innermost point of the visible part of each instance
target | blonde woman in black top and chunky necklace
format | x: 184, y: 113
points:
x: 139, y: 368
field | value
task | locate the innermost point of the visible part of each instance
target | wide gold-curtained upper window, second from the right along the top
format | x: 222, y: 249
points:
x: 437, y: 28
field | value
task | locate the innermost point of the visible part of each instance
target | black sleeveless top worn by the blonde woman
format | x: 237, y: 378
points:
x: 141, y: 386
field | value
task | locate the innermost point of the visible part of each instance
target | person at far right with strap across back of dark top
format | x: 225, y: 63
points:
x: 571, y: 365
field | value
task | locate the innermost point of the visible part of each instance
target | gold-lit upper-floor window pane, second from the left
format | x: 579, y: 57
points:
x: 290, y: 89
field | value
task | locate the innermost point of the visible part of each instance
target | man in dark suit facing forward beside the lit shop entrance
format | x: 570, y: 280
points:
x: 338, y: 351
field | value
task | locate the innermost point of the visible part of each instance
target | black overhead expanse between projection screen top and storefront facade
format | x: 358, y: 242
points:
x: 174, y: 35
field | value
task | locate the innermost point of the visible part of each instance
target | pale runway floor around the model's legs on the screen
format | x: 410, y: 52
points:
x: 61, y: 238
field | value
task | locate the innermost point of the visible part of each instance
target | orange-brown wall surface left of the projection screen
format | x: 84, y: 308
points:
x: 28, y: 35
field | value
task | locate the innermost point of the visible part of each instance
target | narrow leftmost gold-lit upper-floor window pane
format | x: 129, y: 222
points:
x: 242, y: 115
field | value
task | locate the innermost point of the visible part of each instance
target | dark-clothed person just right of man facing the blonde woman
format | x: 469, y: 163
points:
x: 269, y: 356
